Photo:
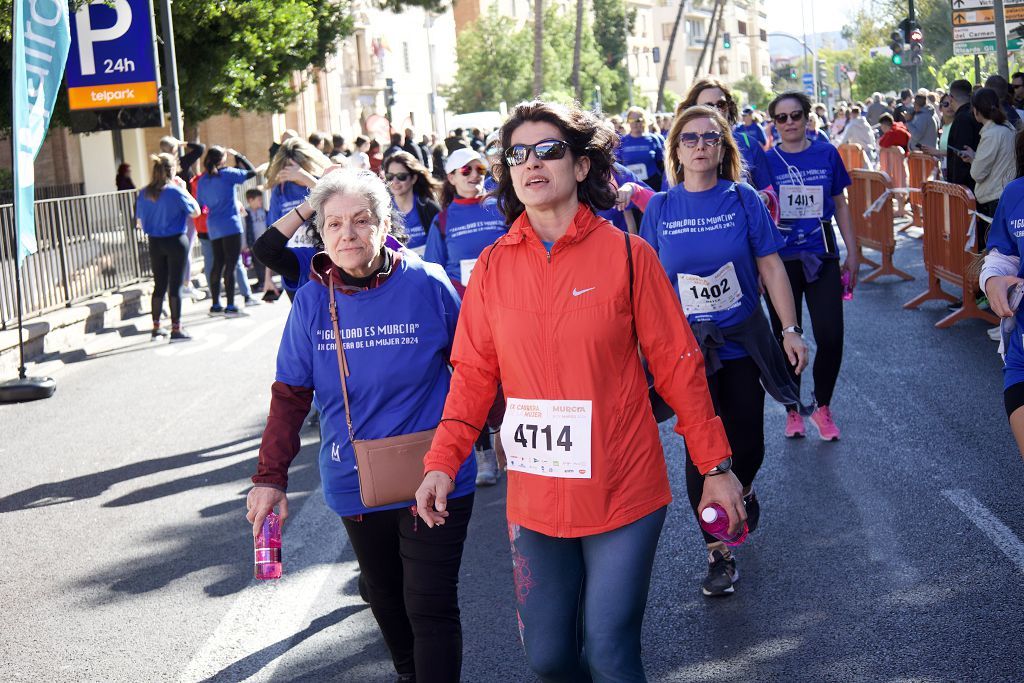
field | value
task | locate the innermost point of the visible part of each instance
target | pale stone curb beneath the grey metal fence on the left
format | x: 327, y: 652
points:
x: 66, y: 330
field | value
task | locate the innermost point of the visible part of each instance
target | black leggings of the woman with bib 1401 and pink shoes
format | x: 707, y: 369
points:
x: 825, y: 303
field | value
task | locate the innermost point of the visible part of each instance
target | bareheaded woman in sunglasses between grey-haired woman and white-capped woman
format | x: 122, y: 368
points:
x: 415, y: 194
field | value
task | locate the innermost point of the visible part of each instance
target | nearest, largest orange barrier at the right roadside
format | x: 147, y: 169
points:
x: 949, y: 248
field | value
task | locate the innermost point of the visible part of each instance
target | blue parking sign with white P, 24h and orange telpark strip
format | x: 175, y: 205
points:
x: 113, y: 60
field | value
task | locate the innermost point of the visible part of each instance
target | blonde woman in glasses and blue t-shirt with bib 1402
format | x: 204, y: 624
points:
x: 716, y: 240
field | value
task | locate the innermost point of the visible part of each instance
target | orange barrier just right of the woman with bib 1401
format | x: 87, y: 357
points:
x: 872, y: 211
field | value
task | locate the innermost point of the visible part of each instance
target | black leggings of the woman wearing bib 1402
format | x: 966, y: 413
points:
x: 740, y: 401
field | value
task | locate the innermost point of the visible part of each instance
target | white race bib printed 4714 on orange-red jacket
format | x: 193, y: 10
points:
x: 548, y: 438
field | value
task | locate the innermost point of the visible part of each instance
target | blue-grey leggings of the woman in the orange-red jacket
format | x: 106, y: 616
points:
x: 581, y: 602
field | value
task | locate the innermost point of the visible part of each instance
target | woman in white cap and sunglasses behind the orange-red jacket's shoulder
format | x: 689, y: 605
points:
x: 470, y: 222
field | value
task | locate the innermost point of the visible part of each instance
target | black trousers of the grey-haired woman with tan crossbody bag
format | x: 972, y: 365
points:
x: 411, y: 574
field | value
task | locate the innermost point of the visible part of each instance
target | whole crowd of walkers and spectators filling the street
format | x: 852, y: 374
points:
x: 541, y: 296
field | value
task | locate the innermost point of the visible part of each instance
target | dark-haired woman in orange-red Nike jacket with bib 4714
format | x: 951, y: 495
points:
x: 556, y: 313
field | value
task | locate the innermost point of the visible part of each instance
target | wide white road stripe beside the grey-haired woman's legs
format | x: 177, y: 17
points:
x: 266, y: 616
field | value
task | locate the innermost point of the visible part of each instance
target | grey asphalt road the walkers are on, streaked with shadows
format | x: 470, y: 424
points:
x: 892, y: 556
